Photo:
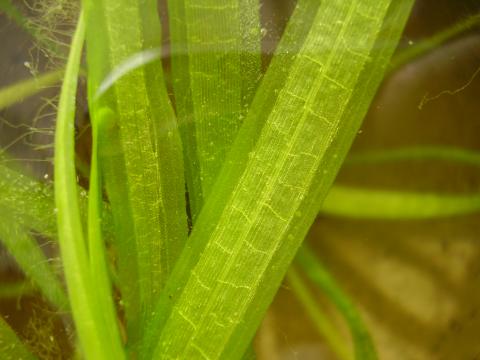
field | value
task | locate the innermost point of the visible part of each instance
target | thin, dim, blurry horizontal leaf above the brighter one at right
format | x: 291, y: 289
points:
x: 416, y: 153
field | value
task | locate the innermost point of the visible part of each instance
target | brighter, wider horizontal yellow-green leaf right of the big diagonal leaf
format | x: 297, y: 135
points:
x: 396, y: 205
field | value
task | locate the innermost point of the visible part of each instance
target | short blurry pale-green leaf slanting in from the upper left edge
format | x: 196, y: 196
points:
x: 19, y: 91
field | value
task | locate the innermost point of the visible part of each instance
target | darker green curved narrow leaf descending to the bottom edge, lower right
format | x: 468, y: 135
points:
x: 364, y: 348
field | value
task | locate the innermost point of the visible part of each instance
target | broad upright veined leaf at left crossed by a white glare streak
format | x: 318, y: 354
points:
x: 146, y: 183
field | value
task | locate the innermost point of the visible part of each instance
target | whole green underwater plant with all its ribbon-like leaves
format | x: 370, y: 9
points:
x: 205, y: 173
